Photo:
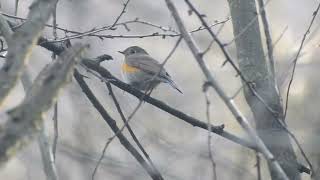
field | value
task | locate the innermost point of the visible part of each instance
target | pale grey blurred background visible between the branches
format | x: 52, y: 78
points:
x: 178, y: 150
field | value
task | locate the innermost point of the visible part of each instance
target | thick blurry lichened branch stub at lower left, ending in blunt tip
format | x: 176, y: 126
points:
x: 22, y: 123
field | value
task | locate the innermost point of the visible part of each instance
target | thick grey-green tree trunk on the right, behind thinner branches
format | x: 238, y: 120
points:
x: 255, y: 68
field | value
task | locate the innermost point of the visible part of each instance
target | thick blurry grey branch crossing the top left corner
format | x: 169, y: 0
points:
x: 21, y: 43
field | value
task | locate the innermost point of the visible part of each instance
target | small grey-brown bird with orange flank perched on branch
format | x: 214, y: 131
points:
x: 142, y: 71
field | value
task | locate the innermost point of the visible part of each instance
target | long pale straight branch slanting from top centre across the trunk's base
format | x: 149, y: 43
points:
x: 230, y: 103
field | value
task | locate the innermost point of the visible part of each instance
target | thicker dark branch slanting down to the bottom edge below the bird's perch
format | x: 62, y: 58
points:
x: 112, y: 123
